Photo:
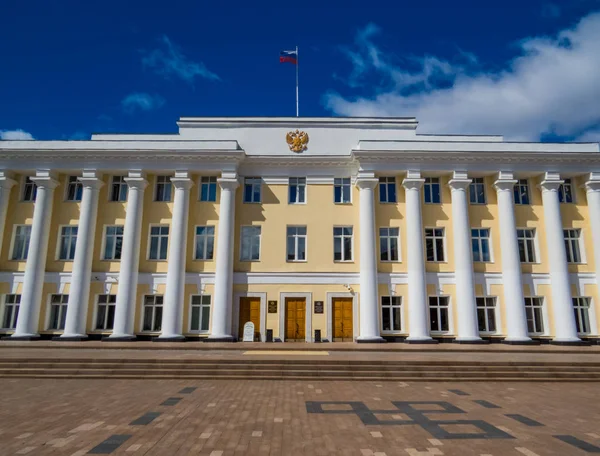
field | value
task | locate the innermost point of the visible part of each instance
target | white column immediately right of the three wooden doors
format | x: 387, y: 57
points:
x: 369, y: 296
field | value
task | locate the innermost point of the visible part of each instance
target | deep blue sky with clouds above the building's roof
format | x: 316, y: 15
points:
x: 527, y: 69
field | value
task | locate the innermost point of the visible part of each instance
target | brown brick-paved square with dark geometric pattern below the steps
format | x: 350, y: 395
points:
x: 221, y: 418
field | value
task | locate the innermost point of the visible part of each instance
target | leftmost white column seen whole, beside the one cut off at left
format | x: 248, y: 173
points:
x: 33, y: 282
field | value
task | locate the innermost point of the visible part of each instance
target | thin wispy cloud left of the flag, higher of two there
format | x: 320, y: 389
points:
x: 169, y: 61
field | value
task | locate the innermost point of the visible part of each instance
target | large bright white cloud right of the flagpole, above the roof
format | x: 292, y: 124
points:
x: 552, y: 86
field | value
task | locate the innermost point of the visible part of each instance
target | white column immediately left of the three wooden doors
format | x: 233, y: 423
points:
x: 221, y: 308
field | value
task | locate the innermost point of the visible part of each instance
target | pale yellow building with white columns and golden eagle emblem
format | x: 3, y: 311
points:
x: 310, y: 228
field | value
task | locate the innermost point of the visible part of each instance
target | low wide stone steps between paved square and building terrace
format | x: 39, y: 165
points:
x: 298, y: 369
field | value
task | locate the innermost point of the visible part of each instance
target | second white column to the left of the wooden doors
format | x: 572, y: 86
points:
x: 175, y: 292
